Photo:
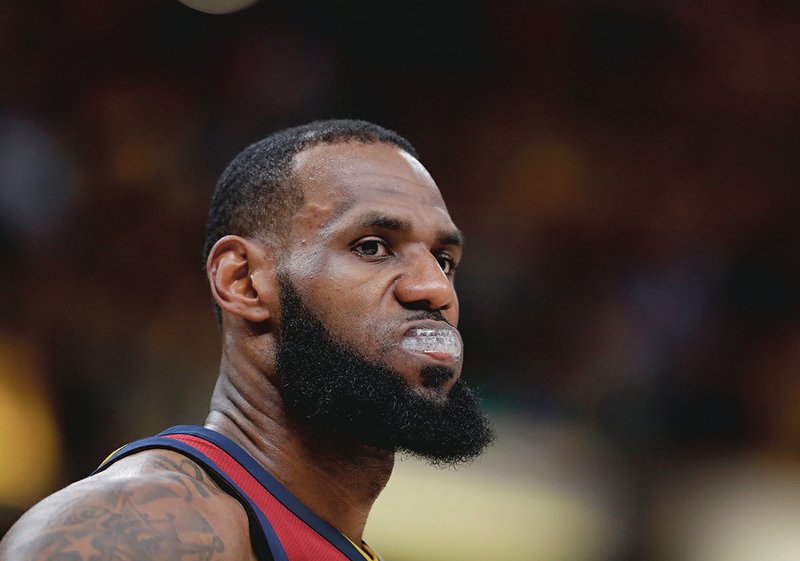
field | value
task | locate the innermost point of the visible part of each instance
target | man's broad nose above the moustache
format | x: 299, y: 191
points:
x: 425, y: 286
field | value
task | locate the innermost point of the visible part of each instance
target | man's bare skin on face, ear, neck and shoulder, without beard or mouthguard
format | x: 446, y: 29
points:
x: 372, y: 245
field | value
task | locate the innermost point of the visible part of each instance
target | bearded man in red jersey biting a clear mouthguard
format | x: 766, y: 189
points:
x: 330, y: 255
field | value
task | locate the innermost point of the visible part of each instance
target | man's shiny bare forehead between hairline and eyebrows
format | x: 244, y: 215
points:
x: 337, y: 178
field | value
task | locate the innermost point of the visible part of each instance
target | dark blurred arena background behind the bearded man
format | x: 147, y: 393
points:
x: 626, y: 175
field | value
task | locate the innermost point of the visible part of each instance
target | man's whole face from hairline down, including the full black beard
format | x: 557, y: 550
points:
x: 367, y: 346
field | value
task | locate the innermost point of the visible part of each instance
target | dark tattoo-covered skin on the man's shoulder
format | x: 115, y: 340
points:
x: 131, y: 521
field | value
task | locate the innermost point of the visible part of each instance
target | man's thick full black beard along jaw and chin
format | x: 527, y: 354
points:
x: 338, y: 393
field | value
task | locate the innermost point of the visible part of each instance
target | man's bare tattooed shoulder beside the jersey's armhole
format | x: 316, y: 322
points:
x: 156, y: 505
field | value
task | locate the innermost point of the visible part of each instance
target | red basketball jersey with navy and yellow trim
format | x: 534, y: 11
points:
x: 281, y: 527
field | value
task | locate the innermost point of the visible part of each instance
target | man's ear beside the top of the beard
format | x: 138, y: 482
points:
x: 242, y: 277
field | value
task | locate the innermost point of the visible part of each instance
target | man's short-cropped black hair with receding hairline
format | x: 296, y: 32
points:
x: 257, y: 194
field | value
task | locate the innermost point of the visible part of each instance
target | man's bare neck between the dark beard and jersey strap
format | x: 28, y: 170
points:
x: 337, y: 482
